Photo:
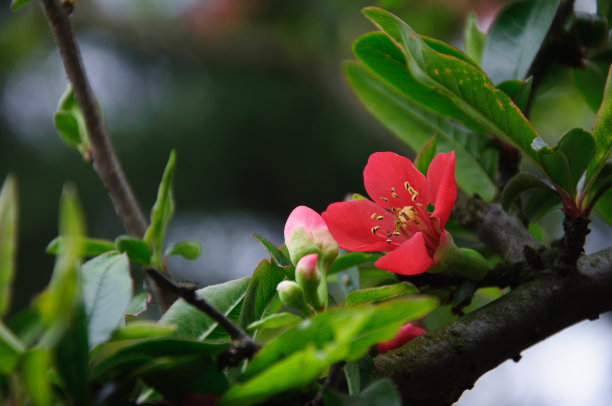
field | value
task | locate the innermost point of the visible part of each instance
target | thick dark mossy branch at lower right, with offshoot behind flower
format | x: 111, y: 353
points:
x: 436, y: 368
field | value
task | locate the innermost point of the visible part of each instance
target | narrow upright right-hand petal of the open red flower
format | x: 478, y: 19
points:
x: 442, y: 185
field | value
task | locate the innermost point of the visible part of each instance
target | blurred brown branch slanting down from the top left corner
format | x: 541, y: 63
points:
x: 105, y: 161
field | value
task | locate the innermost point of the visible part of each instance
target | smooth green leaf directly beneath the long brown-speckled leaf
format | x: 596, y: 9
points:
x: 382, y: 55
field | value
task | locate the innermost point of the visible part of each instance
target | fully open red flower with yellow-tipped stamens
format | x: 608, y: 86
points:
x: 398, y: 220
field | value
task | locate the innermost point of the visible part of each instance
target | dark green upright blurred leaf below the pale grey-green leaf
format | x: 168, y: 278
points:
x: 73, y: 352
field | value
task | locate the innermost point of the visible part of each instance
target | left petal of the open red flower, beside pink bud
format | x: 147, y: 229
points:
x: 352, y: 225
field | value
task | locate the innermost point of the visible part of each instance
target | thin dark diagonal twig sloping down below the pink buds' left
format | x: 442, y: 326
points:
x: 189, y: 295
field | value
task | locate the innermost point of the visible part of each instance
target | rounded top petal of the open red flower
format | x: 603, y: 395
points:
x: 387, y: 177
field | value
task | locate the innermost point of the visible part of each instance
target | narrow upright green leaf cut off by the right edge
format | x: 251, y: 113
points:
x: 602, y: 133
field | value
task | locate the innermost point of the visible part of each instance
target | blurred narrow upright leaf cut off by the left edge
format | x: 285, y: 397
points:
x: 8, y: 240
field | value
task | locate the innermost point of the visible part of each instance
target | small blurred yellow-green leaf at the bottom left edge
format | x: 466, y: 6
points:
x: 35, y: 364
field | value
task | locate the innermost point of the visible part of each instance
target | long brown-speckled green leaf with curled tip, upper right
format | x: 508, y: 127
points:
x: 466, y: 86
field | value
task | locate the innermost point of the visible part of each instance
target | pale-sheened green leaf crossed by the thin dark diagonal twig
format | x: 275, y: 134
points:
x: 191, y: 322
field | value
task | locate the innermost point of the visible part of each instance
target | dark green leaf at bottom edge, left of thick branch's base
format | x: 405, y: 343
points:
x: 381, y: 392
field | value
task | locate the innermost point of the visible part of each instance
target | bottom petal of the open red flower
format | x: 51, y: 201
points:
x: 410, y: 258
